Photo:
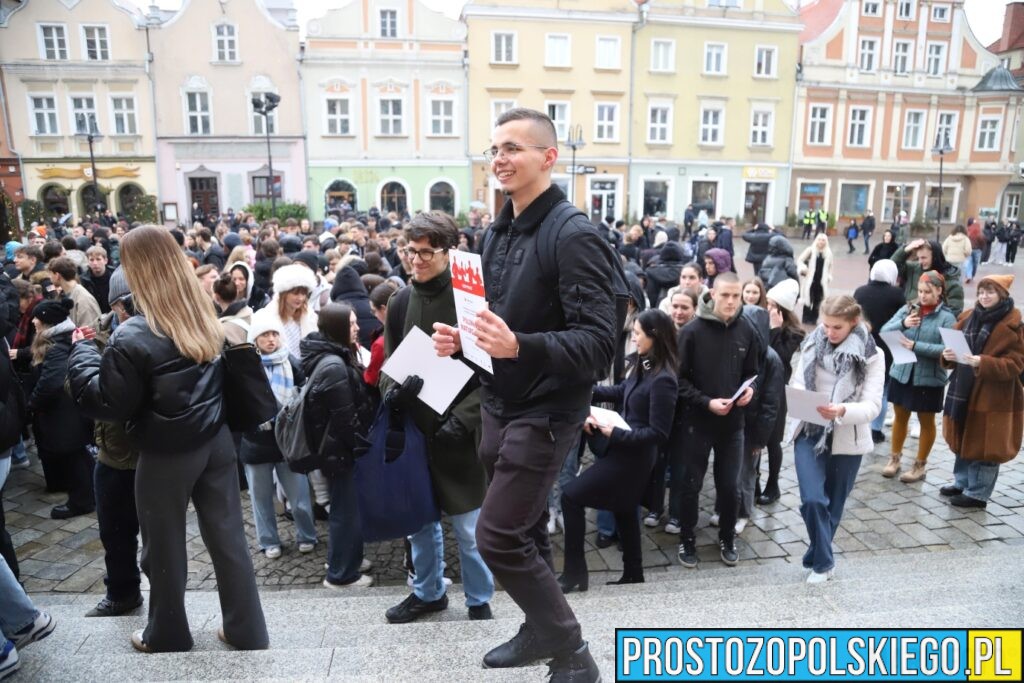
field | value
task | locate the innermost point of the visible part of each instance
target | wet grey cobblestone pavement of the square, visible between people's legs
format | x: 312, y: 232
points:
x: 882, y: 517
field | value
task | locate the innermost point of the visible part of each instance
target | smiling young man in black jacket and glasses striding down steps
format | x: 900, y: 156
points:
x: 550, y: 335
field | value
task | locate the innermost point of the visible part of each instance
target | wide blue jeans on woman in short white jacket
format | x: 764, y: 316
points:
x: 826, y: 483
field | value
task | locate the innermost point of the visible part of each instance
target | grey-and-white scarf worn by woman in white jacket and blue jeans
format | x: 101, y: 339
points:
x: 848, y: 361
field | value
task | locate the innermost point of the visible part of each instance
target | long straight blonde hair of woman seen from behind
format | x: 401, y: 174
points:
x: 167, y: 293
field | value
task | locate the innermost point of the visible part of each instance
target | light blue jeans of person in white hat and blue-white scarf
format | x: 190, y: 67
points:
x: 262, y: 492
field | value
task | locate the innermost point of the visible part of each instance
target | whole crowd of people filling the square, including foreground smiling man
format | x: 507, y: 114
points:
x: 117, y: 338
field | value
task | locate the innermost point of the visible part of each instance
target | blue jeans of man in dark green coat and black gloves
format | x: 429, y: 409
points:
x: 429, y: 560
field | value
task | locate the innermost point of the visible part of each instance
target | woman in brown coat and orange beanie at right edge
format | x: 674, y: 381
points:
x: 984, y: 416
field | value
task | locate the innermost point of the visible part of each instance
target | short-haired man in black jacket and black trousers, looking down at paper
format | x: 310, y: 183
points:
x: 718, y: 352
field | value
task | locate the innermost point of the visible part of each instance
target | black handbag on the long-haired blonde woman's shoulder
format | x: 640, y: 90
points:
x: 249, y: 401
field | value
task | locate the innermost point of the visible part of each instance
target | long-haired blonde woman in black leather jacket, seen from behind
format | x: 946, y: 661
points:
x: 162, y: 376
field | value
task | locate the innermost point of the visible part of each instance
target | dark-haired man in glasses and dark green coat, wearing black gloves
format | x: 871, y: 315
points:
x: 456, y: 473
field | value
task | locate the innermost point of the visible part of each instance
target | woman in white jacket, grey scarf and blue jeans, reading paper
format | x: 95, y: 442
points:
x: 839, y: 359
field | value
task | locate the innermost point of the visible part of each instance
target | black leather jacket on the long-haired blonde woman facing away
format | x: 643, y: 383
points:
x: 168, y: 403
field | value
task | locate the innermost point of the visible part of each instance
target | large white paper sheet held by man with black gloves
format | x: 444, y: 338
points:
x: 443, y: 378
